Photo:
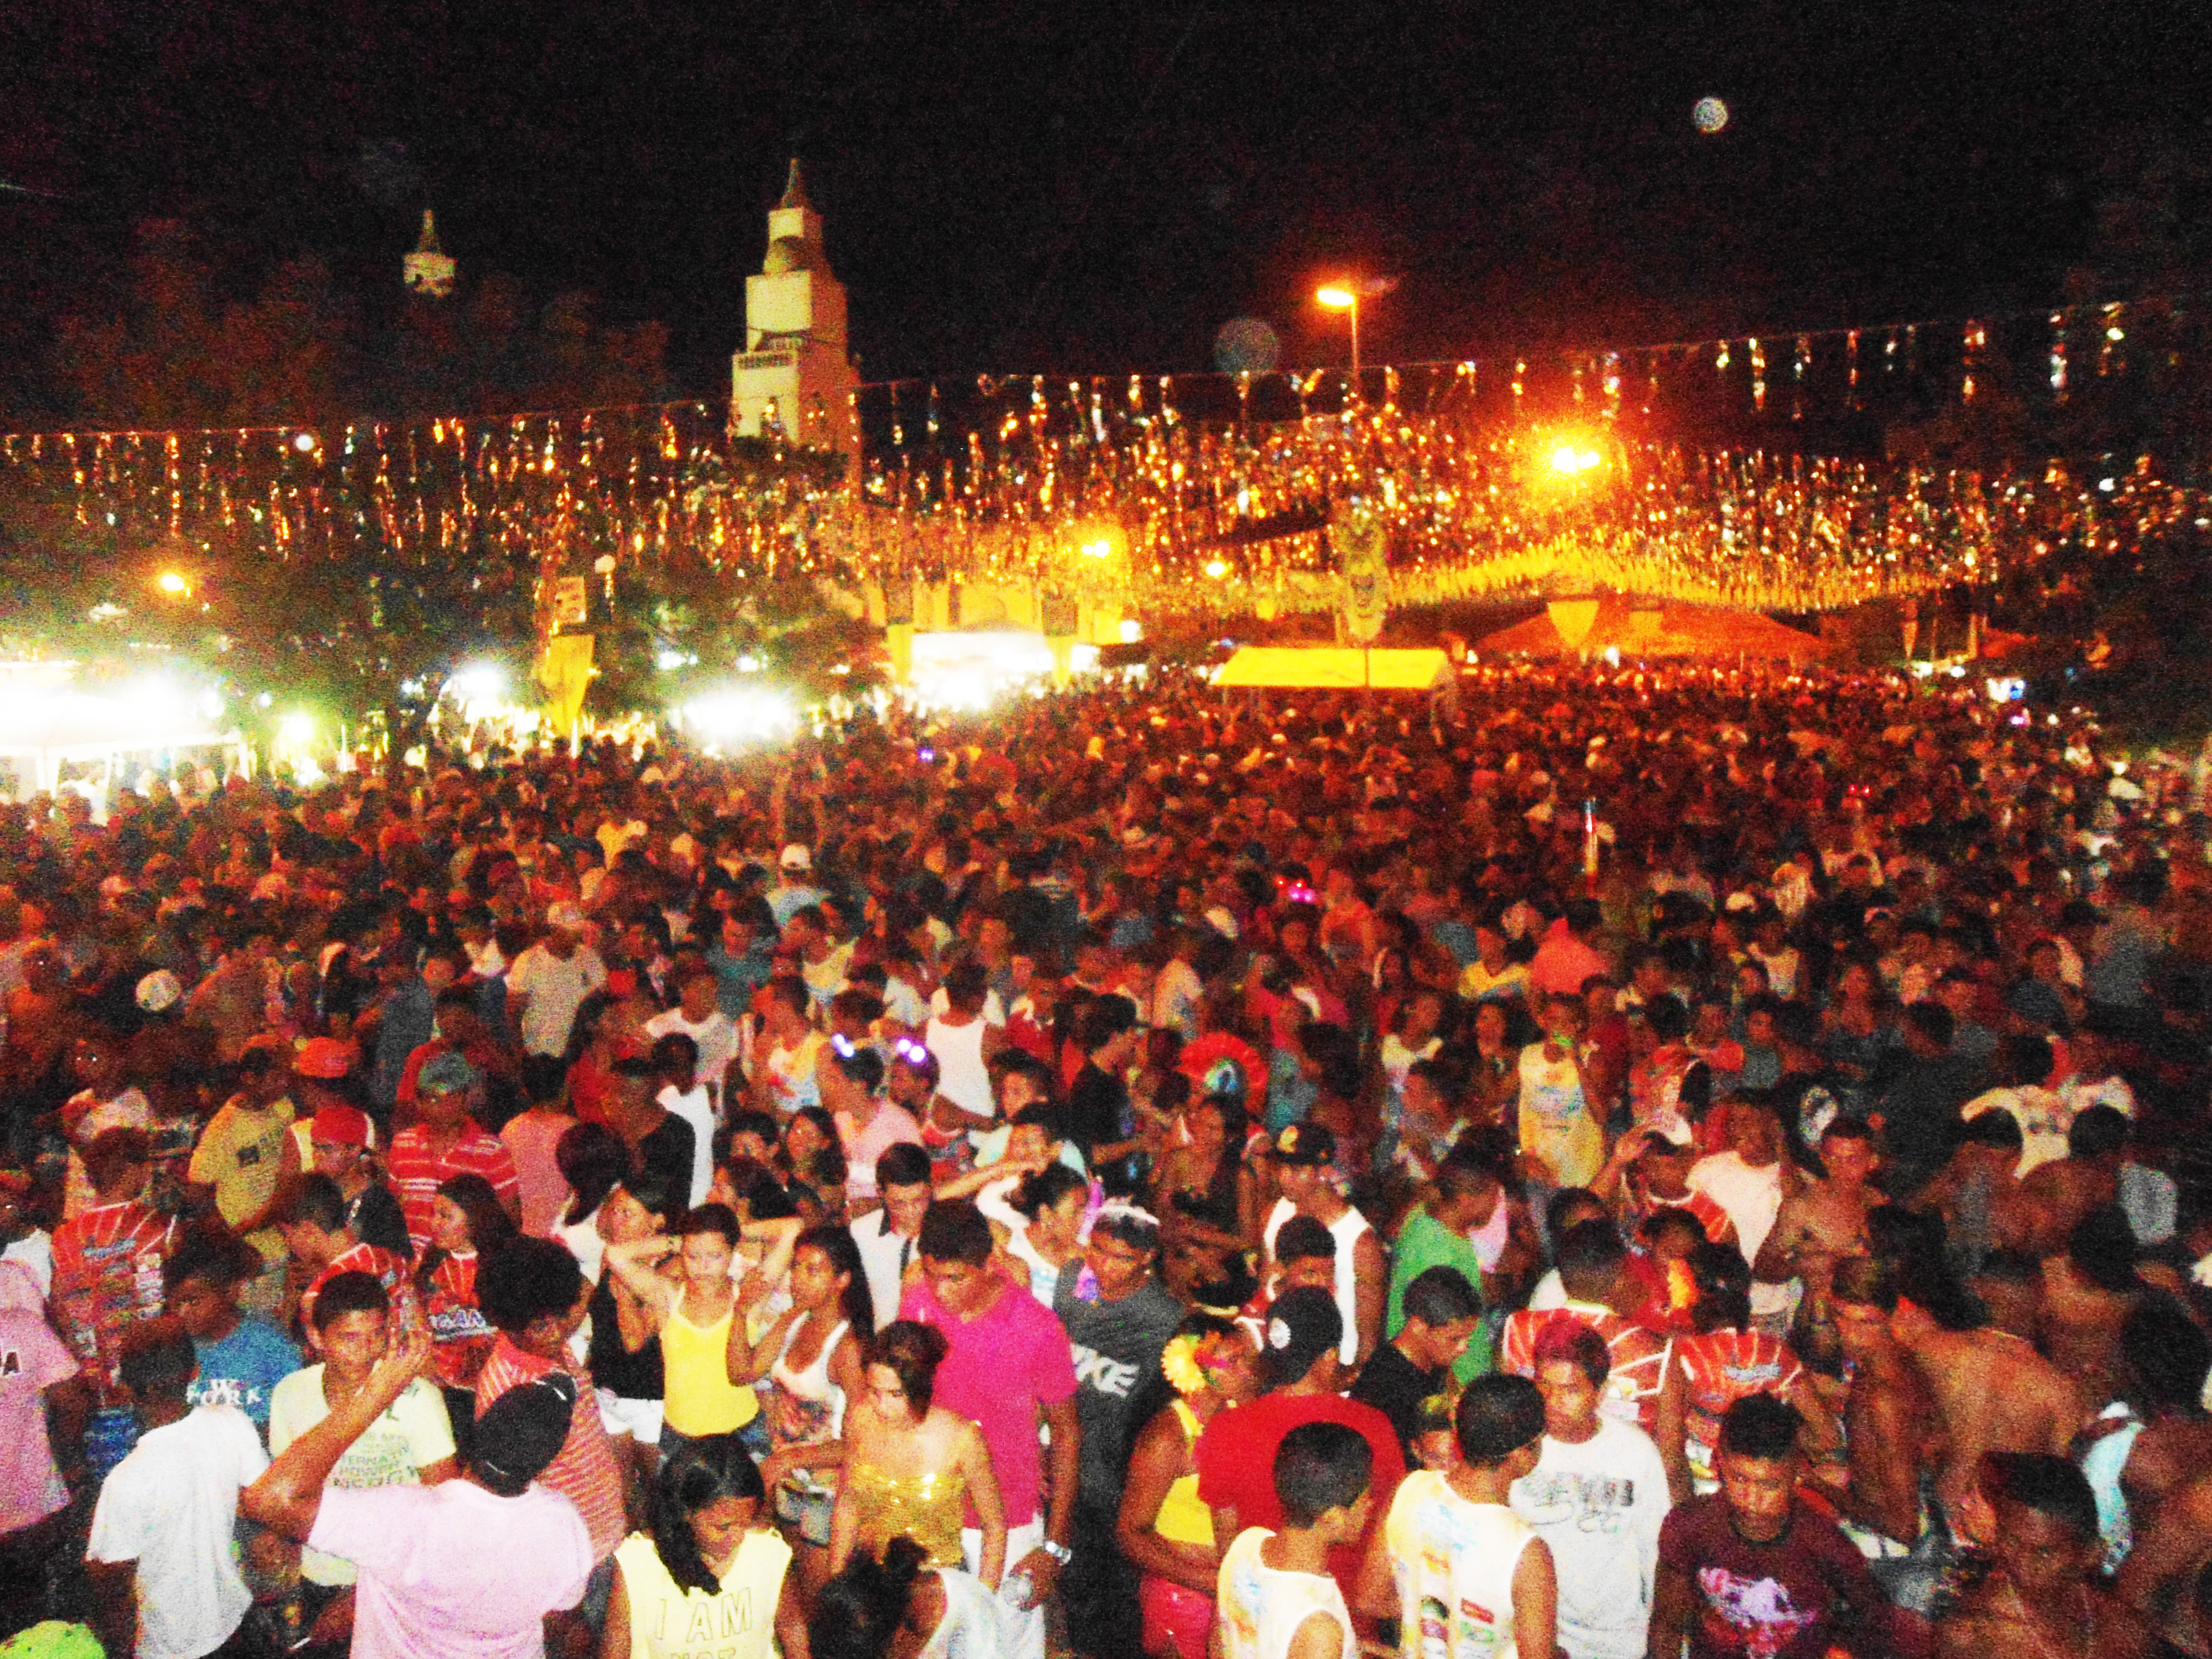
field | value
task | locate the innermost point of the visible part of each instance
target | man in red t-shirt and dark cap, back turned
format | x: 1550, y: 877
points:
x: 1304, y: 1375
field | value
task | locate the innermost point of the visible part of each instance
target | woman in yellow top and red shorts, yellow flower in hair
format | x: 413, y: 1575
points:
x: 1165, y: 1530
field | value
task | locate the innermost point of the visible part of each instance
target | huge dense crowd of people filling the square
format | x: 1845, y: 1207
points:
x: 1620, y: 1162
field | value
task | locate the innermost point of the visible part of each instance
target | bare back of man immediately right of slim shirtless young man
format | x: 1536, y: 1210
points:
x: 1994, y: 1392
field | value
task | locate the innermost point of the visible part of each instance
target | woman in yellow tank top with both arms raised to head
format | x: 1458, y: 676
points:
x: 700, y: 1313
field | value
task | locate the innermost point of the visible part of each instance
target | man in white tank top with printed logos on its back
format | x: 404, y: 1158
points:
x: 1452, y: 1563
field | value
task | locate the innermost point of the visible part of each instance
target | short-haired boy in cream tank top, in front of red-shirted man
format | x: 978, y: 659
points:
x: 1275, y: 1594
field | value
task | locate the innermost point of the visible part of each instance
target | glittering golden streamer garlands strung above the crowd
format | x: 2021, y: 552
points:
x: 1215, y: 492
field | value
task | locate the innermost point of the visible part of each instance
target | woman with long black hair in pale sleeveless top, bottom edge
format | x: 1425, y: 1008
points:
x: 707, y: 1583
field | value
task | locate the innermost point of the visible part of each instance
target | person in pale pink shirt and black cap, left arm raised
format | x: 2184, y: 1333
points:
x: 466, y: 1569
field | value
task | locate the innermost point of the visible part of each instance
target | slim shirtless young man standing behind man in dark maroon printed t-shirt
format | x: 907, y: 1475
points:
x: 1890, y: 1421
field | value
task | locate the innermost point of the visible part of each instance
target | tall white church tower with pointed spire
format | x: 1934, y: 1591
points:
x: 795, y: 377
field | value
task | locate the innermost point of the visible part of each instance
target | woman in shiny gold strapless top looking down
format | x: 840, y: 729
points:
x: 912, y: 1468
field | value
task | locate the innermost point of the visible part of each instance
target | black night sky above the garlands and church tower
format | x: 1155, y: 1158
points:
x: 1100, y: 185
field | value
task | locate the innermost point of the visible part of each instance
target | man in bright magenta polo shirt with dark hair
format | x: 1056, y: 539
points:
x: 1010, y: 1368
